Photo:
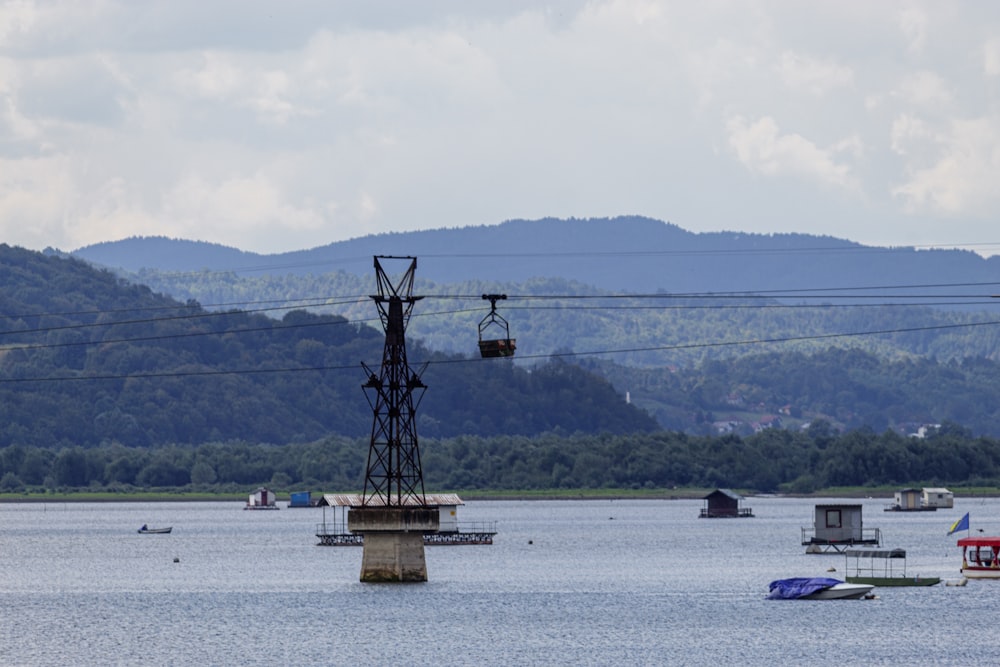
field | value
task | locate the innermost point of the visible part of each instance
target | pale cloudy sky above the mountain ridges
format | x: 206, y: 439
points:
x: 272, y: 126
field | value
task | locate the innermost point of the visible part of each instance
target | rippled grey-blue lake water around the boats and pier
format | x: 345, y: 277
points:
x: 603, y: 582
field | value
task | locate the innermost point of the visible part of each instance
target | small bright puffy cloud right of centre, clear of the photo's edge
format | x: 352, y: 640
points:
x: 761, y: 148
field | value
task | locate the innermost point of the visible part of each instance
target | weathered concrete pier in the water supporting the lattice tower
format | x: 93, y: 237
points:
x: 393, y: 541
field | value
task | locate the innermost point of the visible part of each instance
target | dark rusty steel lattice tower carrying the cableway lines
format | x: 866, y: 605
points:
x: 394, y: 477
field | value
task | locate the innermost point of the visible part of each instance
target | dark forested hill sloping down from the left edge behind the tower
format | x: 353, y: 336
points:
x: 86, y: 358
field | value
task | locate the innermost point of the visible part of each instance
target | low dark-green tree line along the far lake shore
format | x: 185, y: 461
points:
x: 772, y: 461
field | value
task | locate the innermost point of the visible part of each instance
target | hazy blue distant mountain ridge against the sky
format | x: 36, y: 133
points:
x: 629, y: 253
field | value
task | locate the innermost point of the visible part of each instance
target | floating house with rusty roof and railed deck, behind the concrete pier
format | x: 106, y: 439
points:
x: 450, y: 532
